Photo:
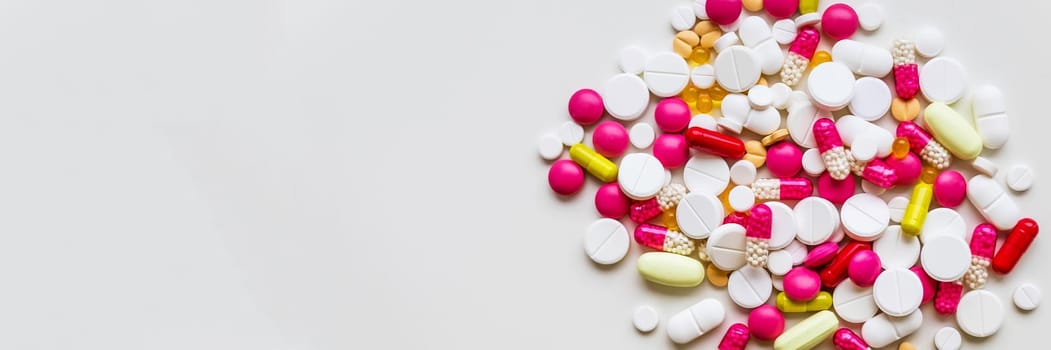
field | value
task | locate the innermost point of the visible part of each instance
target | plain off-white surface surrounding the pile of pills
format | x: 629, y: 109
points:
x: 354, y: 175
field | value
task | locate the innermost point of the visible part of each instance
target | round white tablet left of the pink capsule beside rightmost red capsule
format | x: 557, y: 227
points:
x: 945, y: 258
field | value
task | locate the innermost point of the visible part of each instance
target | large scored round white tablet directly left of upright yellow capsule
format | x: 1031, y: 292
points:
x: 865, y: 217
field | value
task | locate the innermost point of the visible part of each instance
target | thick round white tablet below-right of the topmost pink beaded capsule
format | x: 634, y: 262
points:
x: 832, y: 86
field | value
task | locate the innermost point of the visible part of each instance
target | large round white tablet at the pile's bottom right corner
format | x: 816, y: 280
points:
x: 980, y: 314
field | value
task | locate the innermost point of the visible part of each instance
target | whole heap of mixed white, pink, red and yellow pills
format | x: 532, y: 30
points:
x: 786, y: 176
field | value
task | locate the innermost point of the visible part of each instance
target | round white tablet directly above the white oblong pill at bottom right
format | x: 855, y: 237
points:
x: 898, y: 293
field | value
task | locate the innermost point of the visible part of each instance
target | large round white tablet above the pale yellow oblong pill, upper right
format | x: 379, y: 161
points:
x: 943, y: 80
